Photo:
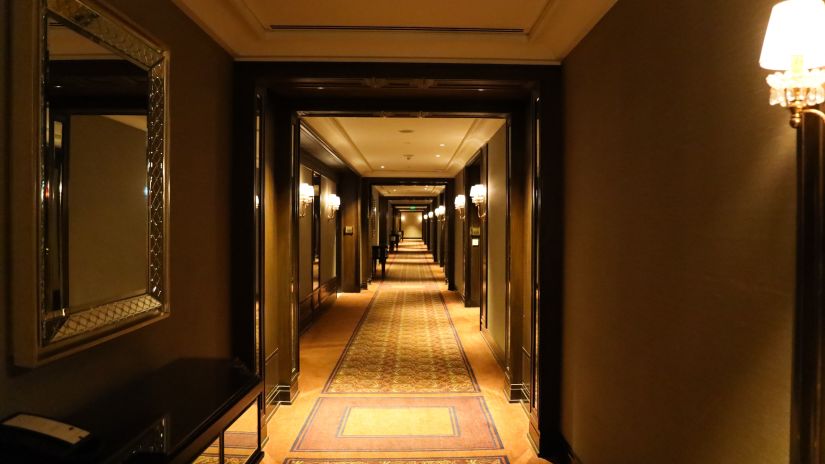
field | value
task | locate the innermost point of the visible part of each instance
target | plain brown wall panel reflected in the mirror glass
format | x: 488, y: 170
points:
x: 108, y: 232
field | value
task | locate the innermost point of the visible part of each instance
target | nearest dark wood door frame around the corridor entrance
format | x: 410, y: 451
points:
x: 425, y: 89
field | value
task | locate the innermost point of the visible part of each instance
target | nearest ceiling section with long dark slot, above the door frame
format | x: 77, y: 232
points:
x: 494, y: 31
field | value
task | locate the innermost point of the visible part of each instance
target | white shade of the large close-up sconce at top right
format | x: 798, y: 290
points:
x: 795, y: 37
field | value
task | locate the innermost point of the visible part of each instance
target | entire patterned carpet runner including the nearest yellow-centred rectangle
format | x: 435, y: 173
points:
x: 404, y: 345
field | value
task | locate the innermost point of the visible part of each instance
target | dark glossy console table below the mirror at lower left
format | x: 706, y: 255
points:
x: 181, y: 413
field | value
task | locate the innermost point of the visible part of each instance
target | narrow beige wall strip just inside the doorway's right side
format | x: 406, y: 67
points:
x: 497, y: 237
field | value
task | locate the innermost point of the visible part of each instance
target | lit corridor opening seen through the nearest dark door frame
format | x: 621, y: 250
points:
x: 406, y: 328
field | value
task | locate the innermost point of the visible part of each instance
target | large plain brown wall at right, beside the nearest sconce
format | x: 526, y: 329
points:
x: 679, y: 249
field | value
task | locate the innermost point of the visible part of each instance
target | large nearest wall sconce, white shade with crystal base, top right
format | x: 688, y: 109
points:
x: 794, y: 47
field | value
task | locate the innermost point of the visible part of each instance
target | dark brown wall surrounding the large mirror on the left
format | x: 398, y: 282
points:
x: 200, y: 247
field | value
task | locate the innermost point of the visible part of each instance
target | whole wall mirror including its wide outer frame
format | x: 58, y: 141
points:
x: 90, y: 241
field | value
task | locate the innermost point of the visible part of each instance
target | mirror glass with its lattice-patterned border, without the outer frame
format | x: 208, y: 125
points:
x: 102, y: 176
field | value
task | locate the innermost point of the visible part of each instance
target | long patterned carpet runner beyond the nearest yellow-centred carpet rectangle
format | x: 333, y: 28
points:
x: 406, y: 342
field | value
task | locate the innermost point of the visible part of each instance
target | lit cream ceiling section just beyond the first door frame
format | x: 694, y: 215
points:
x: 405, y: 147
